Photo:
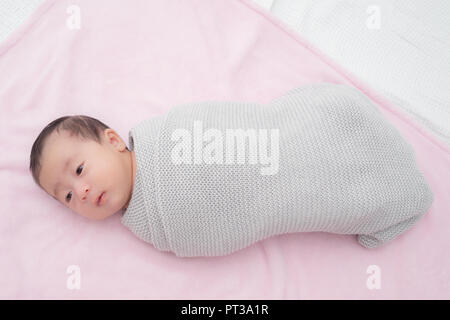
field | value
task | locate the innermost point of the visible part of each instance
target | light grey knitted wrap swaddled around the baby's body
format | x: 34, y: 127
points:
x: 342, y: 168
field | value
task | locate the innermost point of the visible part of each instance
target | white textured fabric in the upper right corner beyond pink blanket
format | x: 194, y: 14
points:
x: 400, y: 48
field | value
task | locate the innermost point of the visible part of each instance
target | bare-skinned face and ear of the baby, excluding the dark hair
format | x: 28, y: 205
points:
x: 77, y: 172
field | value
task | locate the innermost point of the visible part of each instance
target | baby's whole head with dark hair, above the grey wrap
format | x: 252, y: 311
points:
x: 79, y: 160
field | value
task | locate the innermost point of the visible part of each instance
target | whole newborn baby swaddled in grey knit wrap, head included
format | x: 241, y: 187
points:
x: 211, y: 178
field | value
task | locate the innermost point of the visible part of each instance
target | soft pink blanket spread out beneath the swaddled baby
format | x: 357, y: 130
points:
x: 129, y: 62
